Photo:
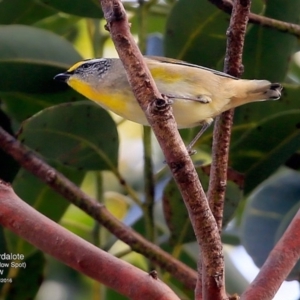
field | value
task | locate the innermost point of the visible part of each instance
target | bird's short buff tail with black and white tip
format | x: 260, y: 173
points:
x: 256, y: 90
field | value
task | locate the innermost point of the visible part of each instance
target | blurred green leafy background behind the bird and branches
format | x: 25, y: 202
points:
x: 95, y: 149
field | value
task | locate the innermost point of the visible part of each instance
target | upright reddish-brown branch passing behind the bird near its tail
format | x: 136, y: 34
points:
x: 223, y: 123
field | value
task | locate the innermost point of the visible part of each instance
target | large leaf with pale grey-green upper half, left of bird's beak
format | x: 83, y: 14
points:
x: 31, y: 57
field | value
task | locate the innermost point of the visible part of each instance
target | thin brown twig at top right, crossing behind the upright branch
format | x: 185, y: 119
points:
x: 294, y: 29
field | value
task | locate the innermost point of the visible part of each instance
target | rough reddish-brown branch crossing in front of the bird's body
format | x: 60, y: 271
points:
x: 159, y: 115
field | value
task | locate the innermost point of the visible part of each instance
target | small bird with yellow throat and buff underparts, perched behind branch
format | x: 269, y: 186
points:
x: 198, y: 94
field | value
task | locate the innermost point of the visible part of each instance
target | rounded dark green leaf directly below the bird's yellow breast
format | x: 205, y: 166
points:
x: 81, y: 135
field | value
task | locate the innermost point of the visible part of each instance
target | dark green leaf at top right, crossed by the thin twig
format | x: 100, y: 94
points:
x: 265, y: 57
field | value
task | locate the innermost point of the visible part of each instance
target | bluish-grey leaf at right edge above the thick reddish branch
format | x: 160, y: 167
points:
x: 266, y: 209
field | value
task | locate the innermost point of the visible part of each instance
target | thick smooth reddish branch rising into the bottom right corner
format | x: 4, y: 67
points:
x: 278, y: 265
